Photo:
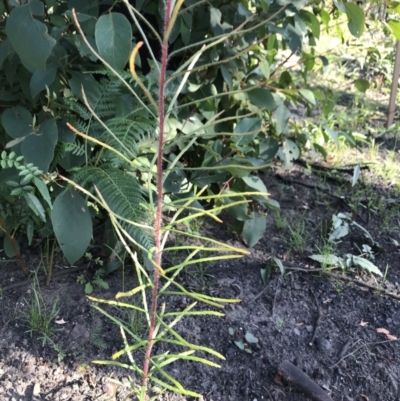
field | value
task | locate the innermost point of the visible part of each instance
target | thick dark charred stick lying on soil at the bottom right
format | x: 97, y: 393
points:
x: 294, y: 375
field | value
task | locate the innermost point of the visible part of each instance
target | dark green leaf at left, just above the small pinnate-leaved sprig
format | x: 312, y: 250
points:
x: 38, y: 148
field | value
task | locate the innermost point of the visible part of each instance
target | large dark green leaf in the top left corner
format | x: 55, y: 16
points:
x: 28, y: 36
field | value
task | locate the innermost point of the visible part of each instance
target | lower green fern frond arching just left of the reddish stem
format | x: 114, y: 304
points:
x: 122, y: 193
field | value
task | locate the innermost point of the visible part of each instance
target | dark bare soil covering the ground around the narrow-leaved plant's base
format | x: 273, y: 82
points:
x: 348, y: 357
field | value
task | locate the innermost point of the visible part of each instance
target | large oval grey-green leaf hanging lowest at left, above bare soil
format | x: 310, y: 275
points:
x: 72, y: 224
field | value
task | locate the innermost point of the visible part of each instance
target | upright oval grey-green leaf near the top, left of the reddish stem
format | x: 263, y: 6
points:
x: 113, y: 36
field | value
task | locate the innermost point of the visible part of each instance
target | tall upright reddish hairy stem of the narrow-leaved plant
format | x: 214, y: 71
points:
x: 158, y: 222
